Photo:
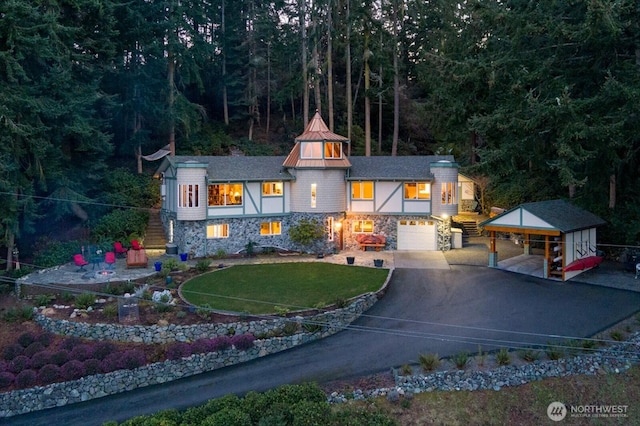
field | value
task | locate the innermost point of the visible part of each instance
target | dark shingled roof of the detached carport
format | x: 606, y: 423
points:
x: 560, y: 214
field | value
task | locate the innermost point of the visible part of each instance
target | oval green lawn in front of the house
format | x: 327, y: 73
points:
x: 259, y: 289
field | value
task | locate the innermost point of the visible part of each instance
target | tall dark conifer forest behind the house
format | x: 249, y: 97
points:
x: 536, y: 100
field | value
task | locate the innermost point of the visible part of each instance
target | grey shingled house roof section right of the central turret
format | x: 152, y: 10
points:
x: 394, y: 168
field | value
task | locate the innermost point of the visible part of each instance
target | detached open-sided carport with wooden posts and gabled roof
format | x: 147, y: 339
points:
x: 568, y: 232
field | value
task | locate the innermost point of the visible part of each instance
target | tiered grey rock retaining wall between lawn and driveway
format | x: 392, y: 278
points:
x: 96, y: 386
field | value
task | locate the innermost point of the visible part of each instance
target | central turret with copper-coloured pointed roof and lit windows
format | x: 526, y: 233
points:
x: 319, y: 164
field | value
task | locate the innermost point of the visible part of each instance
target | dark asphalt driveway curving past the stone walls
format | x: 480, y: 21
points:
x: 424, y: 311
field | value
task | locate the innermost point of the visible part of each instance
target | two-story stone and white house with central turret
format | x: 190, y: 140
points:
x: 212, y: 204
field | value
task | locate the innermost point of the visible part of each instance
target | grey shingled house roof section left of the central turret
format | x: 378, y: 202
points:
x: 237, y: 168
